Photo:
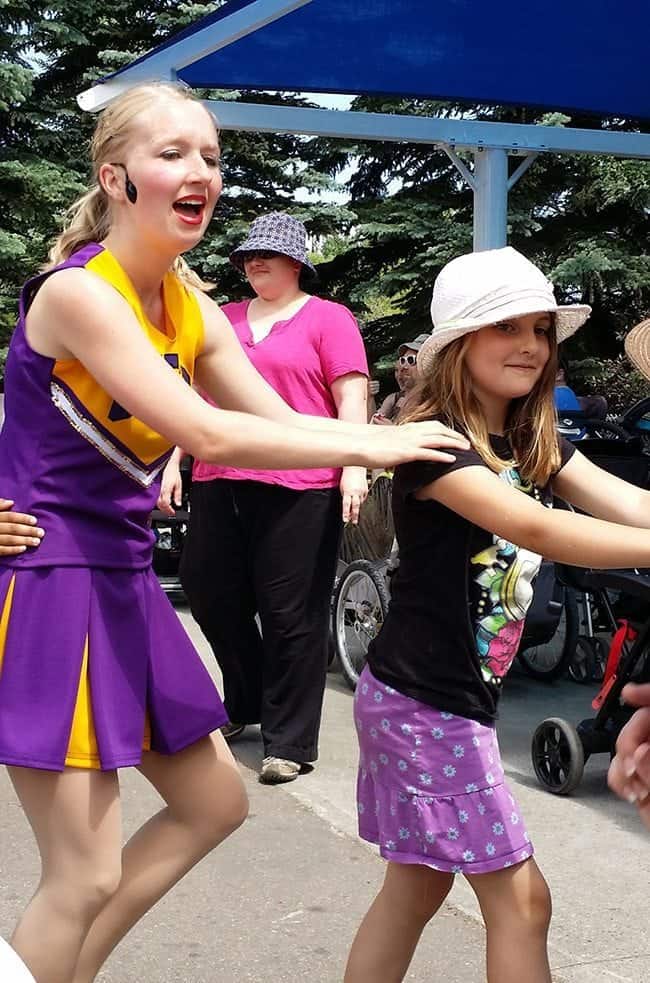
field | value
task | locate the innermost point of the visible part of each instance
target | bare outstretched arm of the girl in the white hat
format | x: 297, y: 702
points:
x: 486, y: 500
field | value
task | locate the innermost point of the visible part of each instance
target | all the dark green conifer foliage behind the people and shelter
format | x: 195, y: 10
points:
x: 583, y: 219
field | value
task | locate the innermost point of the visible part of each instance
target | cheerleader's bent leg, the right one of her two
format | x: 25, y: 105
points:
x: 205, y: 802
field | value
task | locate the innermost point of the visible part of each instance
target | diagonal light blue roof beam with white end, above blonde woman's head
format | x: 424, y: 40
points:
x: 164, y: 65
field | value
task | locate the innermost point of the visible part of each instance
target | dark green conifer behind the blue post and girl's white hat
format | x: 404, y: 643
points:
x: 584, y: 220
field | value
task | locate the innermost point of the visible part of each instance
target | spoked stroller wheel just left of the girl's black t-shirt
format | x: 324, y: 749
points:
x: 360, y: 606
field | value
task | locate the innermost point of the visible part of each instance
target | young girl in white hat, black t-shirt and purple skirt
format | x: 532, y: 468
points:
x: 431, y: 788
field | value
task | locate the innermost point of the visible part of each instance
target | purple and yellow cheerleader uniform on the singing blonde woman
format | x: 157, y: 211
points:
x: 94, y: 665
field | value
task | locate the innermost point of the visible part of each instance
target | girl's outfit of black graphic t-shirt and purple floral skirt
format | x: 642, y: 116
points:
x: 431, y: 787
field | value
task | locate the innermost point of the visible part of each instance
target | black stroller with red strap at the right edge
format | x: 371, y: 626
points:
x: 620, y: 598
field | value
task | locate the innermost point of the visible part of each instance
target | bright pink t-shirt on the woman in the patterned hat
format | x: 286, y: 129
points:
x: 300, y: 358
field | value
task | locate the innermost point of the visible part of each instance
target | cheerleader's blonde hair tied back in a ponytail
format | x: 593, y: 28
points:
x: 89, y: 218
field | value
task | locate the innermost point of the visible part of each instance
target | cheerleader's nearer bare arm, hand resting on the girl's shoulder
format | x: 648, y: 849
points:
x: 77, y: 315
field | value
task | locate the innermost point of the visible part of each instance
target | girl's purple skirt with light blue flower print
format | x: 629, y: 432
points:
x: 431, y: 788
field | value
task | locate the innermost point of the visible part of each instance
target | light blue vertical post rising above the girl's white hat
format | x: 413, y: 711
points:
x: 490, y: 198
